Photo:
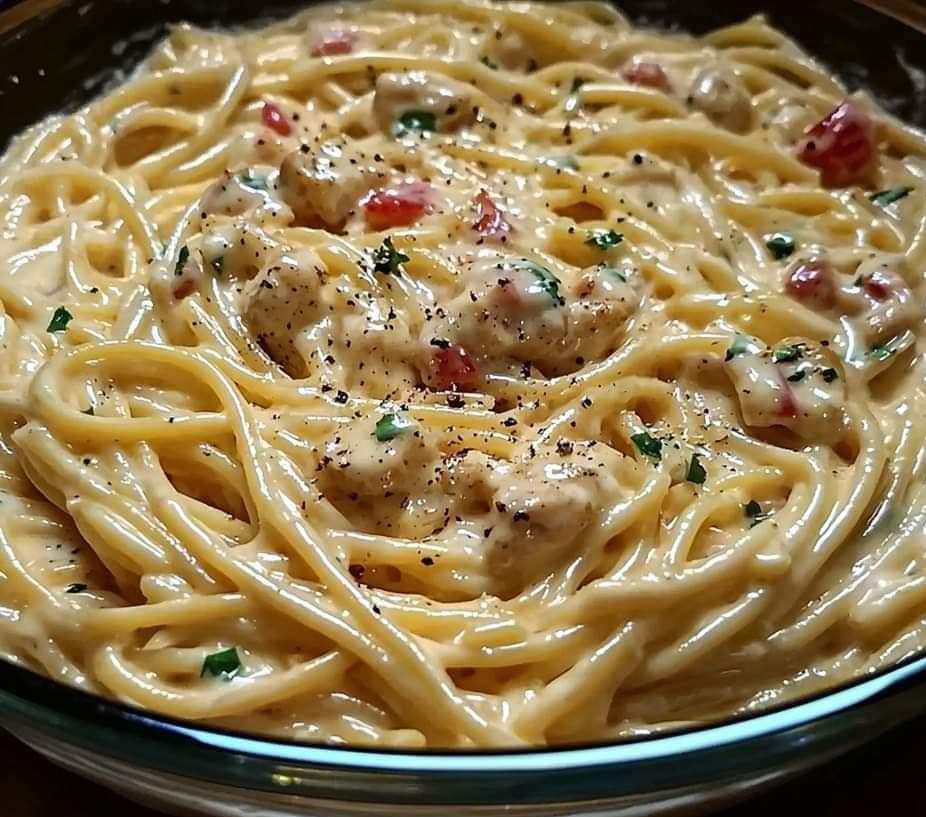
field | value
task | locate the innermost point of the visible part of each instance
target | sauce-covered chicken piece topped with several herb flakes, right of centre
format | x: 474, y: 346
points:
x: 795, y: 385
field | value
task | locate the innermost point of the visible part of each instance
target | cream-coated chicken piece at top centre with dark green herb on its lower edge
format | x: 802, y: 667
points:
x: 420, y: 101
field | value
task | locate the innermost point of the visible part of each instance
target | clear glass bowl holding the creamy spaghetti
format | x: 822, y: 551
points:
x: 58, y: 53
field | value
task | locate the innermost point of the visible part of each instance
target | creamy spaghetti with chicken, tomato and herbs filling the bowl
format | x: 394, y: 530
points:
x: 417, y: 373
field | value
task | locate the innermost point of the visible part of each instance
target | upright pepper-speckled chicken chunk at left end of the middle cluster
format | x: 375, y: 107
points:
x: 282, y: 300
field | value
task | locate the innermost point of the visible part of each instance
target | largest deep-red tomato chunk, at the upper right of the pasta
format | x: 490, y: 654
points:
x: 841, y: 146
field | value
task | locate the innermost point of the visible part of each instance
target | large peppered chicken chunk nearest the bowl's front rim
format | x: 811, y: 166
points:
x: 535, y: 509
